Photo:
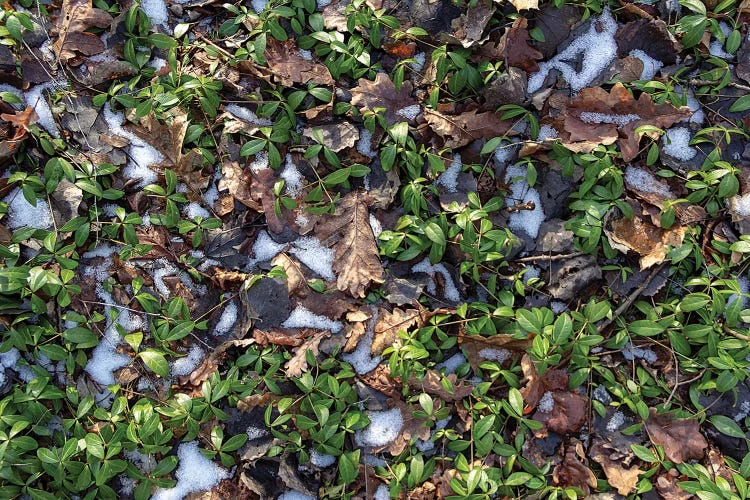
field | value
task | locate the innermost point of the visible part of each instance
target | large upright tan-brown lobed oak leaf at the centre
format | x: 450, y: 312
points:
x: 357, y: 263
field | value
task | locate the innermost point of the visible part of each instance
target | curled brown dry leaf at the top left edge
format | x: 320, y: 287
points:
x: 76, y: 16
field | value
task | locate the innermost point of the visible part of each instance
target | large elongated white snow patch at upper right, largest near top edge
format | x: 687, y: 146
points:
x: 595, y: 48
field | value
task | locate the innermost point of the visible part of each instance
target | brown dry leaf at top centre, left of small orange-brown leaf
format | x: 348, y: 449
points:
x: 288, y: 67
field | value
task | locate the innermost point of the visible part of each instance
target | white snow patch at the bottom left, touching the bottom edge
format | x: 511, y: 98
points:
x: 194, y: 473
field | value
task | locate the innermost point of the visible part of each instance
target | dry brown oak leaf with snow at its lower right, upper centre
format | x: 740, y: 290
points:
x: 382, y: 93
